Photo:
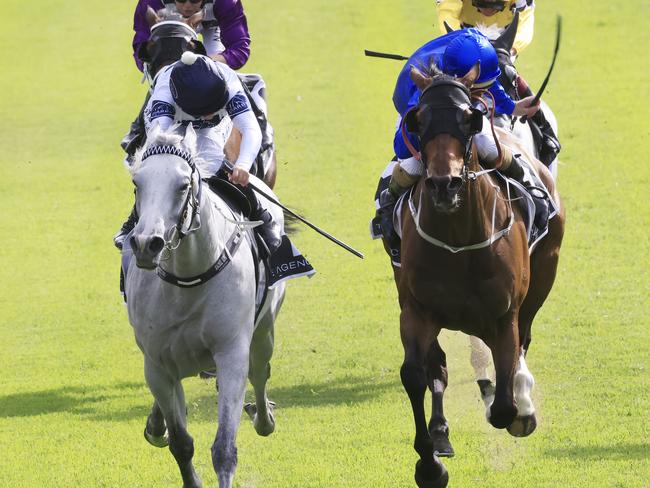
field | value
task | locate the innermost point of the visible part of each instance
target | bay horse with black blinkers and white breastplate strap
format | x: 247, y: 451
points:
x: 465, y: 266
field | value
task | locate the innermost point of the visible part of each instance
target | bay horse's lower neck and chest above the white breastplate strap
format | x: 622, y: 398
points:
x: 472, y: 221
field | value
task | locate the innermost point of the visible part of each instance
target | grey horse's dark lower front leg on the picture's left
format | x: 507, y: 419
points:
x: 170, y: 397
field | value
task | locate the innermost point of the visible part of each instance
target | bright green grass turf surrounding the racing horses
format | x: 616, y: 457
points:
x: 72, y: 396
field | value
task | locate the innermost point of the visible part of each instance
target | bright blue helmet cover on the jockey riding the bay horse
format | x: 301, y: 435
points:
x: 465, y: 51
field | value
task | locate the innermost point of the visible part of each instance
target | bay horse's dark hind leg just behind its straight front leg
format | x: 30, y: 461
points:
x: 437, y: 382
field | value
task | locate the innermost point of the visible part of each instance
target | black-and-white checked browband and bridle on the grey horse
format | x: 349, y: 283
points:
x: 186, y: 221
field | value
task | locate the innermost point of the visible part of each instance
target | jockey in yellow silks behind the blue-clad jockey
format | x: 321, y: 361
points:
x: 489, y: 14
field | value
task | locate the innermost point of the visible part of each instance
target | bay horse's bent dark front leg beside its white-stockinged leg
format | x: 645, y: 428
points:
x: 505, y: 354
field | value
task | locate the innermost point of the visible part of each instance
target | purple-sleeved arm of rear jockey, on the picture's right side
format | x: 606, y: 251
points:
x: 234, y: 33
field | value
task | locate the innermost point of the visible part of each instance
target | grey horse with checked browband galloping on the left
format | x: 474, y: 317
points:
x: 186, y: 320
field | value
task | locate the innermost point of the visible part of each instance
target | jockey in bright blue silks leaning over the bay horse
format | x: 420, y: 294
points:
x: 455, y: 54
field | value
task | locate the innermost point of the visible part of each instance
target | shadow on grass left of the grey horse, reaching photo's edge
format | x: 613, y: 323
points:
x: 94, y: 402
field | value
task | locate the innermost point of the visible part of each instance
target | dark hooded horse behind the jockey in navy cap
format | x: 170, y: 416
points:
x: 169, y: 40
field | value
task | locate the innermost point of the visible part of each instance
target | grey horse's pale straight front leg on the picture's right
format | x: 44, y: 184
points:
x: 232, y: 369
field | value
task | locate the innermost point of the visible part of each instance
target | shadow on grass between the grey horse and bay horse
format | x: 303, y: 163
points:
x: 339, y: 391
